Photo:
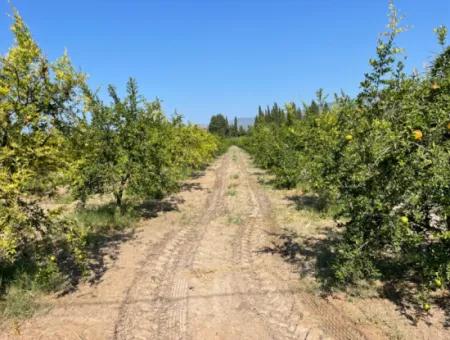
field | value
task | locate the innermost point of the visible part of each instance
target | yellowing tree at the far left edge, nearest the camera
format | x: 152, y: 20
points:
x: 37, y: 101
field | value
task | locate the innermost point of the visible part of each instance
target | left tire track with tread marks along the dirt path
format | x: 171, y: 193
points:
x: 155, y: 306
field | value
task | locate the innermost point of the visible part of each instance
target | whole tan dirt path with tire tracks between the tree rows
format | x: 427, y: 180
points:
x: 199, y: 273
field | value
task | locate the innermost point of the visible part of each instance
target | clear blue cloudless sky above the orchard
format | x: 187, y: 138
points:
x: 202, y: 57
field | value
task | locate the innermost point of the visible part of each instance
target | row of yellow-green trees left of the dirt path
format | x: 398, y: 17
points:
x: 55, y: 132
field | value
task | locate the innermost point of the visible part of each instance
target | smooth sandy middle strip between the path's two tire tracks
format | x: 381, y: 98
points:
x: 217, y: 307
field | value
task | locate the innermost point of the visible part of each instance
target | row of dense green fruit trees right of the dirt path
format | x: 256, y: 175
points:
x: 381, y: 159
